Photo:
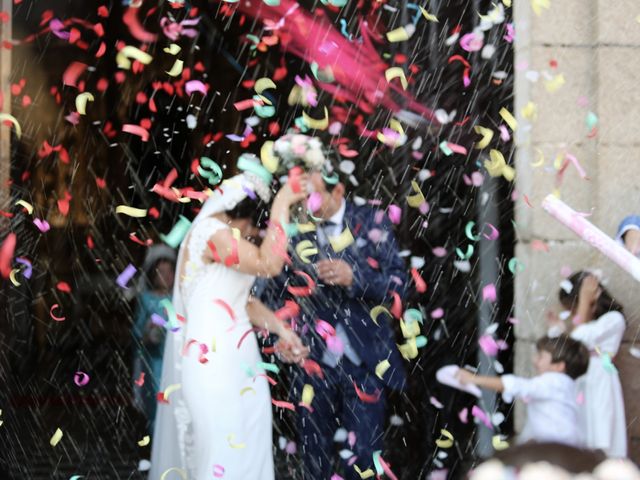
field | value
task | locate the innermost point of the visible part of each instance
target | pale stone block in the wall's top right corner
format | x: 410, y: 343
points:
x: 617, y: 22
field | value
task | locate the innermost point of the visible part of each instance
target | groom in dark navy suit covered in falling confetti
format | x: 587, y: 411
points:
x: 353, y: 357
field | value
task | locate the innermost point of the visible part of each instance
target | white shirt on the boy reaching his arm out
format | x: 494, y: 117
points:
x: 552, y: 410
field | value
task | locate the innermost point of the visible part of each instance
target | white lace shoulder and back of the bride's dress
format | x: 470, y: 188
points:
x: 194, y: 266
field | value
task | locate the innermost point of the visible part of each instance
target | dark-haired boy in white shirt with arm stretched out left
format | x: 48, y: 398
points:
x: 552, y: 410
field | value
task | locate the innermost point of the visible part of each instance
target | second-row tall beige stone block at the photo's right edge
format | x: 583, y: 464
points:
x: 618, y: 94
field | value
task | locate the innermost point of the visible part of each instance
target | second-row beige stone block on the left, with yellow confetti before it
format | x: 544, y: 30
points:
x: 561, y: 119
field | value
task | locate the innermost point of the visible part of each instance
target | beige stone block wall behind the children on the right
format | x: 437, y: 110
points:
x: 596, y: 44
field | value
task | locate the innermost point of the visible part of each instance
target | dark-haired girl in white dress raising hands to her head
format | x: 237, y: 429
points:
x: 596, y: 319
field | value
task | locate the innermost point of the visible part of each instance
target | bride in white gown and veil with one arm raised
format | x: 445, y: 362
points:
x: 214, y: 414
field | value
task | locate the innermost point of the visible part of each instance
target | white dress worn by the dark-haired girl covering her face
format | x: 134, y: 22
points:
x: 602, y: 413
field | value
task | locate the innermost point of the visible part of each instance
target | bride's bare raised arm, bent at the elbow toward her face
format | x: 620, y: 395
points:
x: 268, y: 259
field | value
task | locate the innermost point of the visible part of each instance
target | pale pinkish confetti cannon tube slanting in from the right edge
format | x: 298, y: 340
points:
x: 592, y: 235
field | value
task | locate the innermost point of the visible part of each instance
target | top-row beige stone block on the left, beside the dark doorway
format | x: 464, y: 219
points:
x: 566, y: 22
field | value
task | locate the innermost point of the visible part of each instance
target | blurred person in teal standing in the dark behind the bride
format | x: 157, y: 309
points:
x: 156, y: 286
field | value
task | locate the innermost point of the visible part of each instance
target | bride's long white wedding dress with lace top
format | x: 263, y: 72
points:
x: 218, y: 421
